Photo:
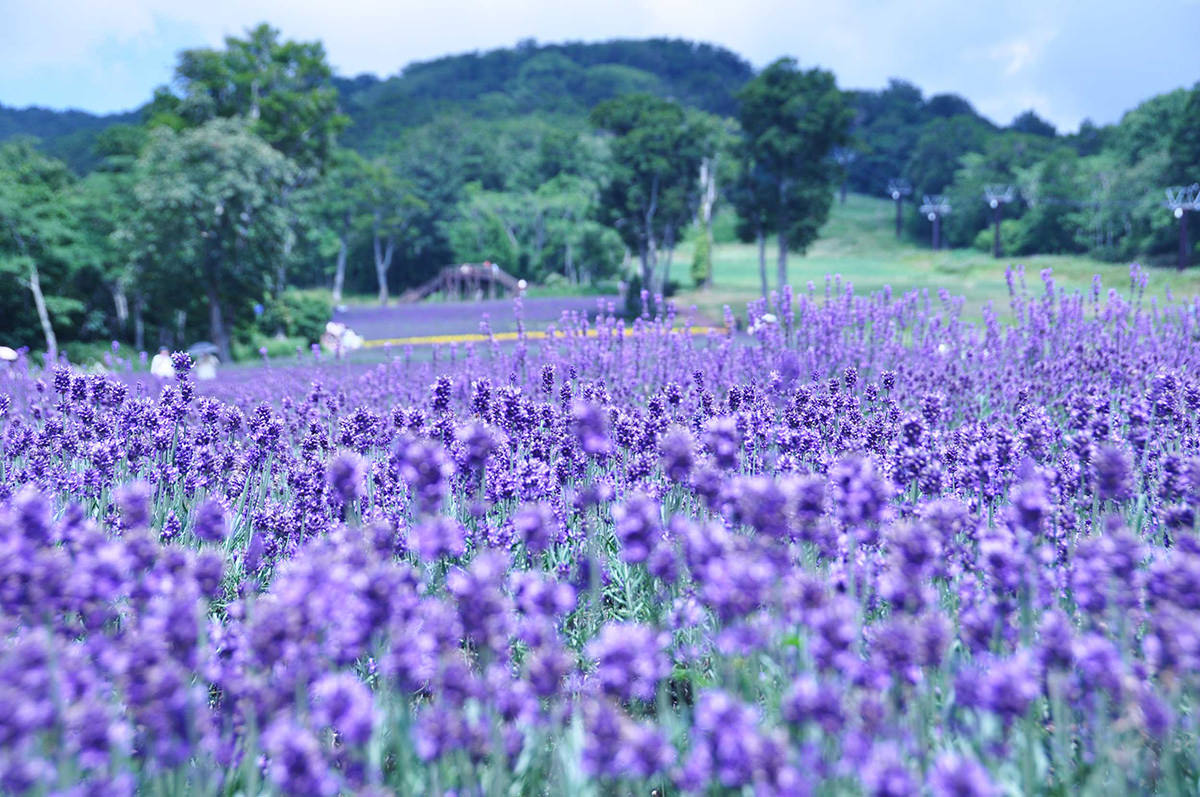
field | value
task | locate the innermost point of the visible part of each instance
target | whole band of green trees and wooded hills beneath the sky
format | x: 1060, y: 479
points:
x: 257, y: 172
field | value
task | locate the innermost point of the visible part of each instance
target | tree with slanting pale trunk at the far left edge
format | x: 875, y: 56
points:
x: 34, y: 236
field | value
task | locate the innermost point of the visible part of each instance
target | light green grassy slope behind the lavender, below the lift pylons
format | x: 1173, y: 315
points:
x: 860, y: 244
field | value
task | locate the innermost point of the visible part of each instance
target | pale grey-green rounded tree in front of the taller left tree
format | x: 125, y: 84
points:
x: 211, y: 221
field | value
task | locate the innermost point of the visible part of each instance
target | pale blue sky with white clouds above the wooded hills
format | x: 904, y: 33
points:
x: 1067, y: 61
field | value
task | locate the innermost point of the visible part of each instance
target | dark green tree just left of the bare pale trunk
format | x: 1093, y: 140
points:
x: 656, y: 158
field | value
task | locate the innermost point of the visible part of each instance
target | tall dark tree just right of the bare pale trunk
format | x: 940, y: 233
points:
x: 793, y: 121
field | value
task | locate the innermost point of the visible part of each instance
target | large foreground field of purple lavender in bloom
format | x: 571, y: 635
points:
x: 869, y: 548
